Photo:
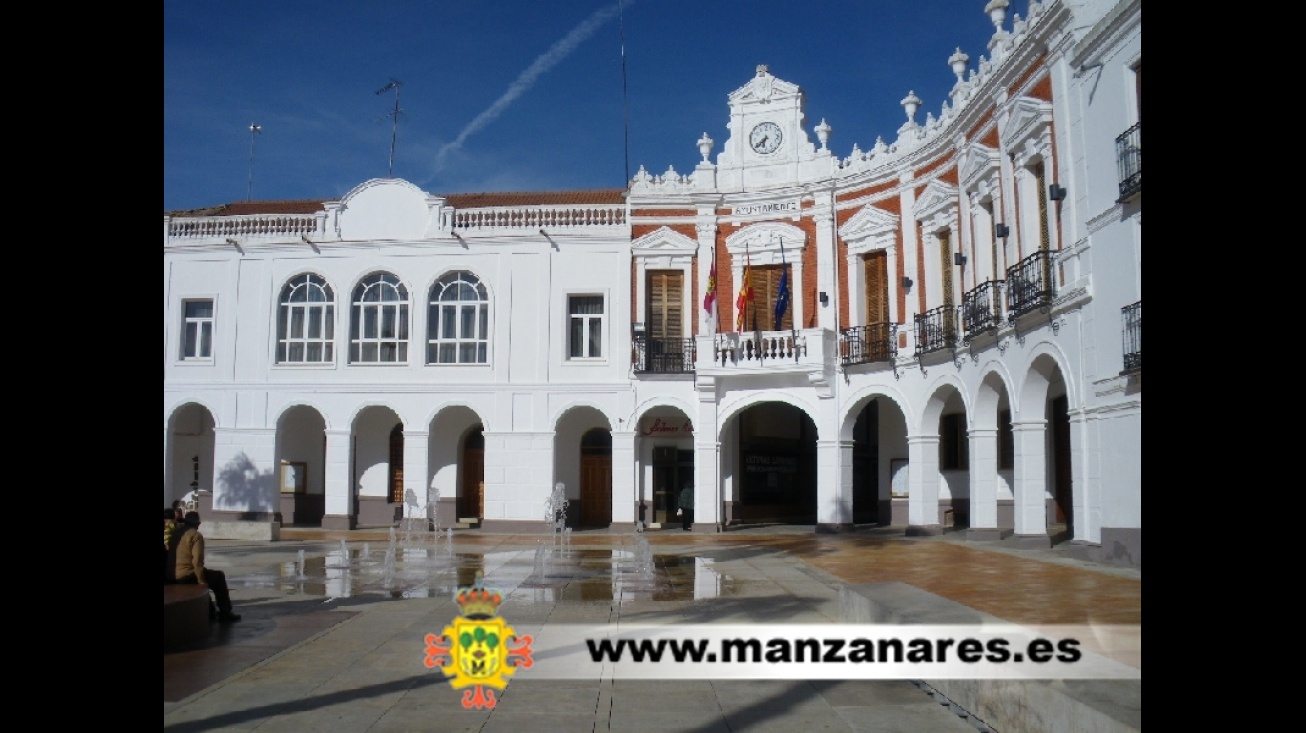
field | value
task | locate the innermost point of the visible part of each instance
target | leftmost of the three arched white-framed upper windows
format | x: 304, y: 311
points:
x: 306, y: 322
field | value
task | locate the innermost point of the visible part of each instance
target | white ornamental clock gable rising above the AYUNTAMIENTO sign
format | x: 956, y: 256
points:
x: 769, y: 147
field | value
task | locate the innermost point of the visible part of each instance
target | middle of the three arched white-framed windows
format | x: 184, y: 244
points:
x: 378, y: 329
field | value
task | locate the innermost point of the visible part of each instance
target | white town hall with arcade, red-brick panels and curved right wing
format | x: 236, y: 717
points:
x: 962, y: 347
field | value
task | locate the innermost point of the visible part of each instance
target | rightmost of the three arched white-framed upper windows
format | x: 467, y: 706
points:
x: 459, y: 322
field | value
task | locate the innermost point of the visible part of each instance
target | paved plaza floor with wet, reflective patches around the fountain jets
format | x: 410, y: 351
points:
x: 332, y: 637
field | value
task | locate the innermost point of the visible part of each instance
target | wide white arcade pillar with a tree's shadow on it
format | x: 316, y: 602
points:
x: 245, y: 471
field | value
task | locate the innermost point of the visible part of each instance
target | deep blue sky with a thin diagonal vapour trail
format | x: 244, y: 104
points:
x: 522, y: 96
